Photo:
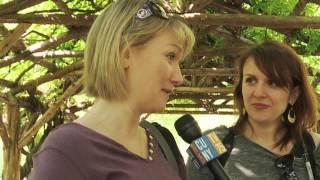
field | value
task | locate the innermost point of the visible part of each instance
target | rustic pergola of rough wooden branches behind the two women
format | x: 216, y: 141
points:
x: 209, y: 73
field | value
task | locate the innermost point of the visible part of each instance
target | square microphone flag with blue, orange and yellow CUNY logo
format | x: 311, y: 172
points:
x: 205, y: 149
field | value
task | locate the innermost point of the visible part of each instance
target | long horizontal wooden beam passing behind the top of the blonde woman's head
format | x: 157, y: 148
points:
x: 288, y: 22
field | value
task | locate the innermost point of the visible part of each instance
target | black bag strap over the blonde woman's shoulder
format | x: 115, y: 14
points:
x: 159, y: 135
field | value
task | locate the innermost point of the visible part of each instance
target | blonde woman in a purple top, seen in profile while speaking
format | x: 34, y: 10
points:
x: 131, y: 66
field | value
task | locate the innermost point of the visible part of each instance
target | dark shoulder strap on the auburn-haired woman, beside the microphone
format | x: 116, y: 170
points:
x: 228, y: 143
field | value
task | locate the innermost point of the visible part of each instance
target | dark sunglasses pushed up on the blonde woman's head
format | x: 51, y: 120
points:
x: 150, y: 8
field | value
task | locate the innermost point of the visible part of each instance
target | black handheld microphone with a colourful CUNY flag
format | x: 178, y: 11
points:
x: 203, y: 149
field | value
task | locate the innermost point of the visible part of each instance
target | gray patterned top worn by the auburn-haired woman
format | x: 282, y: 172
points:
x: 250, y: 161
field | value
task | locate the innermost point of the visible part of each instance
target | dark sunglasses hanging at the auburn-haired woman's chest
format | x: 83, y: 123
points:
x: 285, y: 163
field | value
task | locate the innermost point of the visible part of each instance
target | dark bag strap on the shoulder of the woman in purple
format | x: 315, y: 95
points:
x: 167, y: 143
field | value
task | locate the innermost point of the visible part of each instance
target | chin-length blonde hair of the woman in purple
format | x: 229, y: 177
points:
x: 115, y: 29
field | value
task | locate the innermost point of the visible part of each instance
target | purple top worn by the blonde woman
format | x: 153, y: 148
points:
x: 74, y: 152
